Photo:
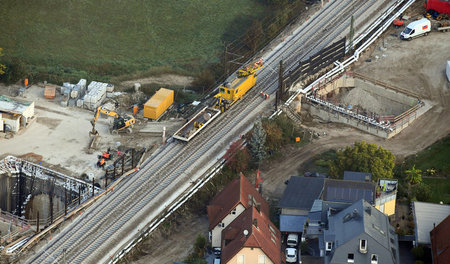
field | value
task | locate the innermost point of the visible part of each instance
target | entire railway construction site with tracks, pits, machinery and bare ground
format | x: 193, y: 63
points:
x: 75, y: 151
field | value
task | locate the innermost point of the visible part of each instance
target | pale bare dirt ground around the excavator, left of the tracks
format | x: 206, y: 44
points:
x: 60, y: 136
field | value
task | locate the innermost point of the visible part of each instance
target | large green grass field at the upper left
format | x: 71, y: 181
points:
x: 105, y: 38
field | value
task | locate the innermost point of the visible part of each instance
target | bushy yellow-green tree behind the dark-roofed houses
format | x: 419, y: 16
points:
x: 364, y: 157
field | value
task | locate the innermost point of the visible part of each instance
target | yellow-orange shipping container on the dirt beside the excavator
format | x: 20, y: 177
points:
x: 159, y: 103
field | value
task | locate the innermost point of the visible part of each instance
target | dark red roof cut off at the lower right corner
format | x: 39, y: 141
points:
x: 440, y: 242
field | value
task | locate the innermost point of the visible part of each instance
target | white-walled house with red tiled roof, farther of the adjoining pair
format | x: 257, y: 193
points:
x: 229, y: 204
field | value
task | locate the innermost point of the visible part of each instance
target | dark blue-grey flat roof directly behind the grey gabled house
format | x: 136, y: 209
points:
x: 348, y: 191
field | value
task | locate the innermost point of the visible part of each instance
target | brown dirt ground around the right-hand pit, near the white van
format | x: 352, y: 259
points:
x: 417, y: 65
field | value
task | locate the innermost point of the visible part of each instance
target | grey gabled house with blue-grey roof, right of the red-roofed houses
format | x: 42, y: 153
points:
x: 362, y: 220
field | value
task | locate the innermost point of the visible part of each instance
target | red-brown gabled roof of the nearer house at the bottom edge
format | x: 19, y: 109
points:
x: 259, y: 235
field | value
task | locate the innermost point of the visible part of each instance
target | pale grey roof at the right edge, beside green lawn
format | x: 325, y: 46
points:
x: 426, y: 215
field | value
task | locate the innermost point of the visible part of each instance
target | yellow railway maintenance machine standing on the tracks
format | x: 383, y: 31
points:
x: 237, y: 86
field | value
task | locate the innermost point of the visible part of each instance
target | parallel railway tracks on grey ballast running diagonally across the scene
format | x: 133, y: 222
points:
x: 89, y: 237
